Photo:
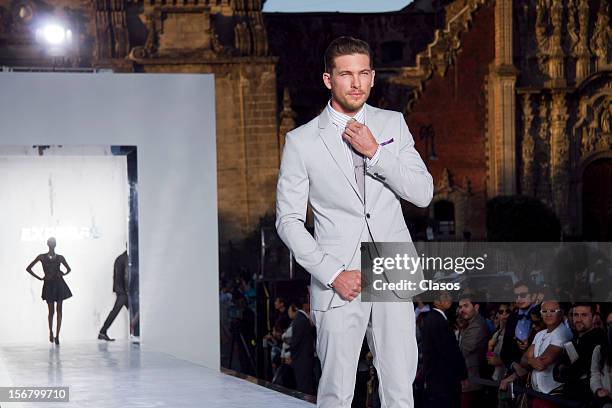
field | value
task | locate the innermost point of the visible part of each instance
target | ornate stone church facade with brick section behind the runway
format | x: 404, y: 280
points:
x: 502, y: 97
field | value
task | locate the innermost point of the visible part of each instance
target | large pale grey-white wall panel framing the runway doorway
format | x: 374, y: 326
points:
x: 170, y: 118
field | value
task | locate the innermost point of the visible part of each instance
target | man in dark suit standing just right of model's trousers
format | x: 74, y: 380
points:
x: 444, y: 368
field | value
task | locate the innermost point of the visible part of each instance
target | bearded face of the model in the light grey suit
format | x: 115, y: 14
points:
x: 350, y: 82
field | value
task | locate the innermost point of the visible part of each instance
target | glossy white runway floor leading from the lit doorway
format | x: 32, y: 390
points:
x: 120, y: 374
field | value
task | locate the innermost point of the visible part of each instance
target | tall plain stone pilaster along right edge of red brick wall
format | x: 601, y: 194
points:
x: 502, y: 174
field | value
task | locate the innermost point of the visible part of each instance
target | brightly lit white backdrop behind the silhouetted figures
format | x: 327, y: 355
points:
x: 65, y: 192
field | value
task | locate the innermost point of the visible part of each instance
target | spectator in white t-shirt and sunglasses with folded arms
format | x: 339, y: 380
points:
x: 546, y: 351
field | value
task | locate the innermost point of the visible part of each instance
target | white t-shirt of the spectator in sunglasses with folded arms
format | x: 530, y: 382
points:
x: 543, y: 380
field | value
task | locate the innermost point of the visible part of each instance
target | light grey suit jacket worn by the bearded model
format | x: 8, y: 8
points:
x: 315, y: 169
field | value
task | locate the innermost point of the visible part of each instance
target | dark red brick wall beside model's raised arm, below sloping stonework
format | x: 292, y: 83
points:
x: 456, y: 106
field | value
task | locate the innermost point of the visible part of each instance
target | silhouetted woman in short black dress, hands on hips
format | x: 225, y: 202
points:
x: 55, y: 289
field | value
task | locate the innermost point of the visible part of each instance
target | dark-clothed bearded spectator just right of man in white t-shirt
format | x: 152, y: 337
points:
x: 575, y: 365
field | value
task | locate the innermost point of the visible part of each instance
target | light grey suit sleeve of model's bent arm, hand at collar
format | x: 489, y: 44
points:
x: 405, y: 173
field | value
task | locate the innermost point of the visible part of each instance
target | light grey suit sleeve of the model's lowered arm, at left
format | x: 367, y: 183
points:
x: 291, y: 200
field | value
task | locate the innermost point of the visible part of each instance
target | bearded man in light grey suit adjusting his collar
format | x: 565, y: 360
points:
x: 352, y: 163
